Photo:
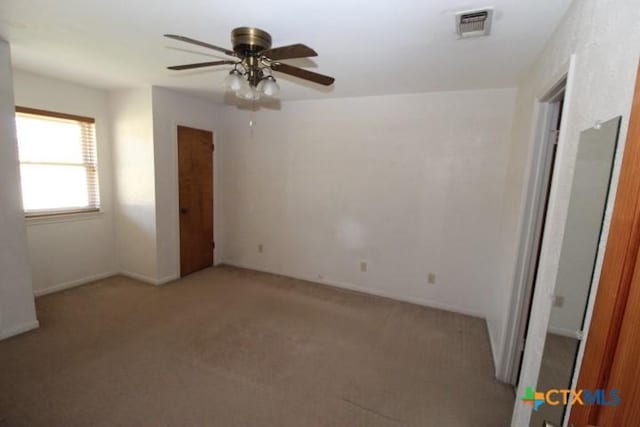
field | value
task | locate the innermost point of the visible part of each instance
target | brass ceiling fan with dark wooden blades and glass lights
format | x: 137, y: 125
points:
x: 255, y: 61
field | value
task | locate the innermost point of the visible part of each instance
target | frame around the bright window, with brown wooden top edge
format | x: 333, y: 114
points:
x: 59, y: 212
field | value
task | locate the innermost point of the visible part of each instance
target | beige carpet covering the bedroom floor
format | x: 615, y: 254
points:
x: 232, y: 347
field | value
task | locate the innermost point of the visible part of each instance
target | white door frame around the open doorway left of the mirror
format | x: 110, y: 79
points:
x: 530, y: 234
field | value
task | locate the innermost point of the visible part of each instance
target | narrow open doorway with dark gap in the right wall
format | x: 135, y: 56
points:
x: 551, y: 109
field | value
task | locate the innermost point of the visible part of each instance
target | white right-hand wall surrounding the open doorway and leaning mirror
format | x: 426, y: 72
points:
x: 605, y: 36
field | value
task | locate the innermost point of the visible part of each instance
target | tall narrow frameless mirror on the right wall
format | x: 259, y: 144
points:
x: 587, y: 202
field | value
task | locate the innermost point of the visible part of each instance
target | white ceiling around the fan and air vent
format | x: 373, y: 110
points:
x: 371, y: 47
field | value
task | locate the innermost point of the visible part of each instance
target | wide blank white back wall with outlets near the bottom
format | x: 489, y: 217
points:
x: 411, y: 184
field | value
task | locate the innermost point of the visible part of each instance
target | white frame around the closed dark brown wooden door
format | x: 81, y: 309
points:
x: 176, y: 190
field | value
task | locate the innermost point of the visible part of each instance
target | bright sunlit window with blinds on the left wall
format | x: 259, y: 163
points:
x: 58, y: 162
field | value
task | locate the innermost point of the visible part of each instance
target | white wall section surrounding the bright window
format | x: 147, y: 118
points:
x: 80, y: 248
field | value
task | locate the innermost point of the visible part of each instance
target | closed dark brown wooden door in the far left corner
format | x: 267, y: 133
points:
x: 195, y: 177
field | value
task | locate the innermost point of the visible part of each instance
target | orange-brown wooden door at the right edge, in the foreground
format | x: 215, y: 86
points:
x: 612, y: 353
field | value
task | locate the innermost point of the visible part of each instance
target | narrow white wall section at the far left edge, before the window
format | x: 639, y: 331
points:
x: 17, y: 310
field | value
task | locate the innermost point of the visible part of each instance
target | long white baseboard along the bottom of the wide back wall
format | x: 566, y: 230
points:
x: 385, y: 294
